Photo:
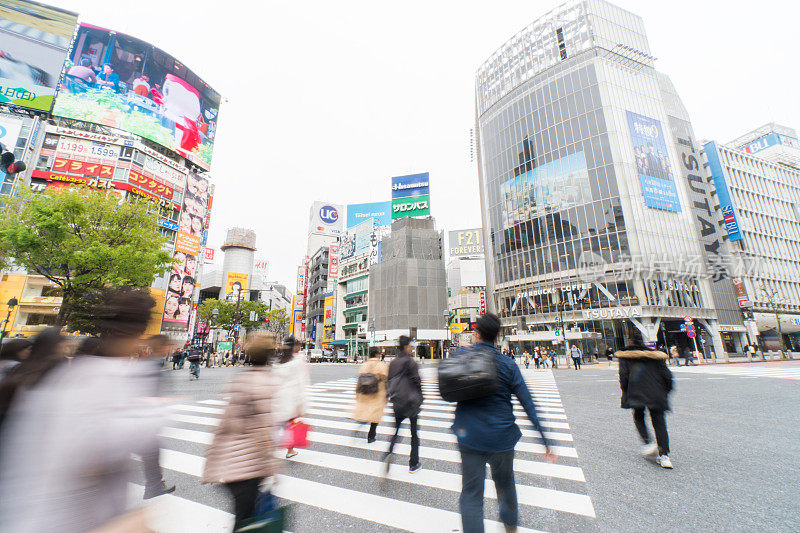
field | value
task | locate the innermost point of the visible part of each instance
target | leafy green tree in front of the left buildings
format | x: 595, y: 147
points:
x: 84, y: 241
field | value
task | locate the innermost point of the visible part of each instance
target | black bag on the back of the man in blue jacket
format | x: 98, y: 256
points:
x: 469, y: 374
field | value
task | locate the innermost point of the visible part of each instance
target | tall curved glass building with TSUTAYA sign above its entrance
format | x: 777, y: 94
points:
x: 597, y: 211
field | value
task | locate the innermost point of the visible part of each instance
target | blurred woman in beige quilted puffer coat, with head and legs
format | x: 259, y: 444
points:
x: 242, y: 453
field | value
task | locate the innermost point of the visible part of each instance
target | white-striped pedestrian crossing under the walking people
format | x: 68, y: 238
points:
x: 335, y: 483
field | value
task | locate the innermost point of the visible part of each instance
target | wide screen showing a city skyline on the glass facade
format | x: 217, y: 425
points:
x: 552, y: 186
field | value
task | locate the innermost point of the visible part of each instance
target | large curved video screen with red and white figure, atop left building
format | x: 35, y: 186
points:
x: 119, y: 81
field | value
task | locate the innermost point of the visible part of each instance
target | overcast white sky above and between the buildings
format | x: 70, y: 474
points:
x: 328, y: 100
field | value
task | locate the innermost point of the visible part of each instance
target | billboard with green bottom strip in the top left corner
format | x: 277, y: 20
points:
x: 34, y: 40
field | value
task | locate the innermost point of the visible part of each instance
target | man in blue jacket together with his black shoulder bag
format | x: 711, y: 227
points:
x: 485, y: 425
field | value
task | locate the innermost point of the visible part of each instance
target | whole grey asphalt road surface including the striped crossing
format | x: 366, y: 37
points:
x: 734, y: 435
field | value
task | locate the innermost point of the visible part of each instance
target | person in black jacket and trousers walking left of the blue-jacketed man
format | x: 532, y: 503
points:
x: 405, y: 391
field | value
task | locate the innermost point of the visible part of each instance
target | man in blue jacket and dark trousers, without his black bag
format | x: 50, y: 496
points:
x: 487, y: 433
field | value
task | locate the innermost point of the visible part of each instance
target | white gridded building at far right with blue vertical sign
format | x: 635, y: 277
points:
x: 757, y: 179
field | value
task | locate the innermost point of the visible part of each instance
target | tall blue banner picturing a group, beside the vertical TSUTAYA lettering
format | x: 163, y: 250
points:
x: 652, y: 163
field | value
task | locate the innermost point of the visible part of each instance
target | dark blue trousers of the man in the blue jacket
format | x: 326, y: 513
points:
x: 473, y: 478
